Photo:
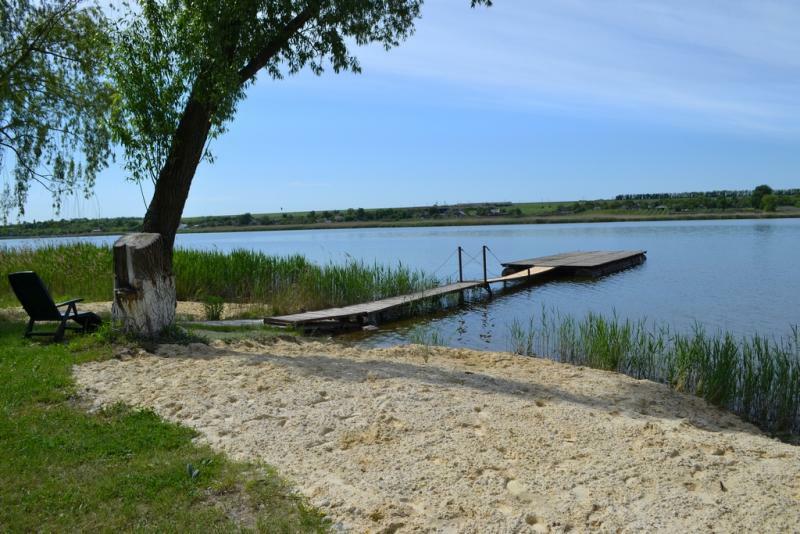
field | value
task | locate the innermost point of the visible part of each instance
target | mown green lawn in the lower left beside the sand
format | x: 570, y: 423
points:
x: 62, y: 469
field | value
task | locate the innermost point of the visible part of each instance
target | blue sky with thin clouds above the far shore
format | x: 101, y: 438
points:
x: 525, y: 101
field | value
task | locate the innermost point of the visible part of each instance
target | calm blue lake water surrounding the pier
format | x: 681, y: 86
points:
x: 741, y: 276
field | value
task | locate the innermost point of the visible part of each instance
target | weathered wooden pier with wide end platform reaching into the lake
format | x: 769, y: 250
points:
x: 595, y: 263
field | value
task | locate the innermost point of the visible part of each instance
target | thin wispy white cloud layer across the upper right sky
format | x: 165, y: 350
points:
x: 730, y: 64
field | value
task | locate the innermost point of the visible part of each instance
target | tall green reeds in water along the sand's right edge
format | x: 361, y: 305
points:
x: 756, y: 377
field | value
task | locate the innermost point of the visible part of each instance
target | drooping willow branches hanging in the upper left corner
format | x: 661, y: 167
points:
x: 54, y: 98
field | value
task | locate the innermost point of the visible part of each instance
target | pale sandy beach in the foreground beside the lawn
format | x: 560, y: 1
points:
x: 383, y: 440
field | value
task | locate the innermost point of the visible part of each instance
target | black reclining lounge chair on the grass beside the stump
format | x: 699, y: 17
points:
x: 39, y: 305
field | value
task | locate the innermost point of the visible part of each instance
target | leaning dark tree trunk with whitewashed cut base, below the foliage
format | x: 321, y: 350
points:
x: 144, y: 294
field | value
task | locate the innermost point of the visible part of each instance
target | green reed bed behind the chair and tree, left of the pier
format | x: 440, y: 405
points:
x: 285, y: 284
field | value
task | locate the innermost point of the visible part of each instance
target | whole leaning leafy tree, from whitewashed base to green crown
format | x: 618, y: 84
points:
x: 180, y: 68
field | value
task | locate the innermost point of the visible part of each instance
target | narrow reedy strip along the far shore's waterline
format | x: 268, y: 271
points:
x: 463, y: 221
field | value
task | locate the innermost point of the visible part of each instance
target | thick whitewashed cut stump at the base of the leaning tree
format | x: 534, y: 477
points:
x: 144, y: 287
